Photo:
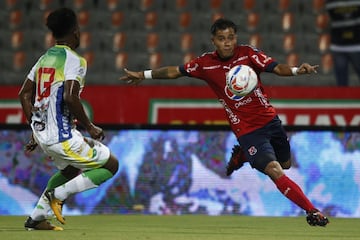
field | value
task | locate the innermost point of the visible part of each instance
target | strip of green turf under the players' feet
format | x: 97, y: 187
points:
x: 138, y: 227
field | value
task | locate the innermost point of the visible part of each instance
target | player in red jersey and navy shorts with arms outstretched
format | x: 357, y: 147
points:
x: 264, y: 143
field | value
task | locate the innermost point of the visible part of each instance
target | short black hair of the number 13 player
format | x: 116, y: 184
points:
x: 61, y: 22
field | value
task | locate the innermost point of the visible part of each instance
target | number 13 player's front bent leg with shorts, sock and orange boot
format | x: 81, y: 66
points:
x: 93, y: 158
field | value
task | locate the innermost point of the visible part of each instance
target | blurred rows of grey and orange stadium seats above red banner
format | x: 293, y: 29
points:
x: 140, y: 34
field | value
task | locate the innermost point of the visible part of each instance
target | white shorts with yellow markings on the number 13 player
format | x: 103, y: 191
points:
x: 80, y: 152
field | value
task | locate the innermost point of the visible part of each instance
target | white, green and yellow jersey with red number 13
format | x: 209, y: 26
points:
x: 51, y: 119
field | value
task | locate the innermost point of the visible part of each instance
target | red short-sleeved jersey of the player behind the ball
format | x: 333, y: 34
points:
x: 245, y: 114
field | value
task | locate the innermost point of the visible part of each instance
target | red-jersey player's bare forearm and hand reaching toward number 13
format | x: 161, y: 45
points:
x: 135, y: 78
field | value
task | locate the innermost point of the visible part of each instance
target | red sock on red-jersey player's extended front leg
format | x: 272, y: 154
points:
x: 293, y: 192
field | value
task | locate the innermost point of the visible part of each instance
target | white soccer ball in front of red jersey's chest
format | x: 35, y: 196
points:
x: 241, y: 80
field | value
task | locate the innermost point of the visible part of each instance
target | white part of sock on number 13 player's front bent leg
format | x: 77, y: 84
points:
x: 78, y: 184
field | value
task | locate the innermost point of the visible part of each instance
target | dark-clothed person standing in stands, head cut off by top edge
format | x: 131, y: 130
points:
x: 345, y: 38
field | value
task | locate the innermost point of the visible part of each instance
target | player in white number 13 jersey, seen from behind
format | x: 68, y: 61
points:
x: 50, y: 98
